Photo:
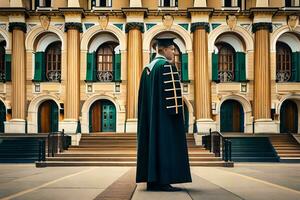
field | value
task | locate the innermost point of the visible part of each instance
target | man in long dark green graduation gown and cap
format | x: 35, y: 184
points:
x: 162, y: 157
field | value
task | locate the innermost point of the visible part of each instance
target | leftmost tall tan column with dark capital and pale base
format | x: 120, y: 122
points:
x: 18, y: 71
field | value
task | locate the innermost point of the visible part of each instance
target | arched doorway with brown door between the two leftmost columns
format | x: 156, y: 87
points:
x: 48, y: 117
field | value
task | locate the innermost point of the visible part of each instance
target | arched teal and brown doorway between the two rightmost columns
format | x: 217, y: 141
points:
x: 232, y: 116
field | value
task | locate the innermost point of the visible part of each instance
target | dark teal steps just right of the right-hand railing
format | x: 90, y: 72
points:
x: 253, y: 149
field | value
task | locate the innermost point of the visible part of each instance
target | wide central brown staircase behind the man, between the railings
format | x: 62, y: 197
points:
x: 119, y: 149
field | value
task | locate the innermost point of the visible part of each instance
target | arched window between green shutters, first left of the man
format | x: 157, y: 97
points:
x: 104, y: 60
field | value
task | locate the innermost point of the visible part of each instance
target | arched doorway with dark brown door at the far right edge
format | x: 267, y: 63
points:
x: 288, y: 117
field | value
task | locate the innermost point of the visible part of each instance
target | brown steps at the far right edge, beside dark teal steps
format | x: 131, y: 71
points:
x: 286, y: 146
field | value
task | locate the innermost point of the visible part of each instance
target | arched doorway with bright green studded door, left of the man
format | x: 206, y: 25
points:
x: 102, y: 116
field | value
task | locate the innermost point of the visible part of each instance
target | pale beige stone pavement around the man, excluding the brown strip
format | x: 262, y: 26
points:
x: 244, y: 181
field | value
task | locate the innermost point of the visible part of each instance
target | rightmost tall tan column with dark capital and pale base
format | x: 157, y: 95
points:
x: 262, y: 79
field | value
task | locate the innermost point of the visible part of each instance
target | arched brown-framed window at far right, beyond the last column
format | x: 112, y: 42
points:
x: 283, y: 62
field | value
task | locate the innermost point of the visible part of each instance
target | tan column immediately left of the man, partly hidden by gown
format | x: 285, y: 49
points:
x: 134, y: 68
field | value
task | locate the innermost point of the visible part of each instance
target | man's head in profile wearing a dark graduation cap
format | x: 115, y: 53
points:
x: 166, y: 47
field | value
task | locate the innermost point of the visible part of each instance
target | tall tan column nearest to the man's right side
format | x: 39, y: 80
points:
x: 202, y: 83
